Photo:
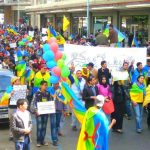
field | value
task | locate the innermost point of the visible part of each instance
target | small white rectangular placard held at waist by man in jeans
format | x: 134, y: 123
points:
x: 46, y: 107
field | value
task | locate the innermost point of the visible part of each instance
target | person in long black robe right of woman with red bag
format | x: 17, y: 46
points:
x: 119, y: 104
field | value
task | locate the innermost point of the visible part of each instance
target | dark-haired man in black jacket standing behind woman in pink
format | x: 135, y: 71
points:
x: 104, y: 71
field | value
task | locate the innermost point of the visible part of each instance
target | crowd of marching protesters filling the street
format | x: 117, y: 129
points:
x: 87, y: 83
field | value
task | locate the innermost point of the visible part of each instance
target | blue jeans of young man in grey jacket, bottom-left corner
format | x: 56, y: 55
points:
x: 23, y: 145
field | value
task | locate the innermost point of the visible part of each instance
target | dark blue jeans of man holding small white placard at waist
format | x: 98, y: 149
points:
x: 41, y: 128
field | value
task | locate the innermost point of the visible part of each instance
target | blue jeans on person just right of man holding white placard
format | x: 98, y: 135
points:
x: 55, y: 124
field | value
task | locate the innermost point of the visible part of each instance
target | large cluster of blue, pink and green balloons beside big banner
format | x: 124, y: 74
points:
x: 55, y: 61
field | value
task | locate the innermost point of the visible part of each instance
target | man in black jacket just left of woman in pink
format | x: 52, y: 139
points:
x: 90, y: 92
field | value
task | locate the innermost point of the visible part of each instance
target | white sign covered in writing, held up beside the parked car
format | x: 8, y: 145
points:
x: 19, y: 92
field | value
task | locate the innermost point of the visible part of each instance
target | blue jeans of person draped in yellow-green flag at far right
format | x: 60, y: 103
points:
x: 138, y: 110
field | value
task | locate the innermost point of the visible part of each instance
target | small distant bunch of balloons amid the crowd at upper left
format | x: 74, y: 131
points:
x: 26, y: 41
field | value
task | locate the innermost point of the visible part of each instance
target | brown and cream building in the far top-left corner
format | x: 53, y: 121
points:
x: 14, y: 10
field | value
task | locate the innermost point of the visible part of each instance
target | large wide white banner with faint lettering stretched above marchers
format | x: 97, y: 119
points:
x: 115, y: 57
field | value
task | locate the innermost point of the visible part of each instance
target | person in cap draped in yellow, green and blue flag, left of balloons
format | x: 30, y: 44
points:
x: 41, y: 75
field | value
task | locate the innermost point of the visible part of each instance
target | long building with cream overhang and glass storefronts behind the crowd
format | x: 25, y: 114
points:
x: 127, y: 15
